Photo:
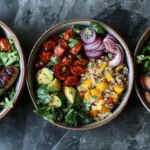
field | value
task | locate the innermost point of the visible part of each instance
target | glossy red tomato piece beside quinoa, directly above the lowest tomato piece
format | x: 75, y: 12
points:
x: 77, y: 70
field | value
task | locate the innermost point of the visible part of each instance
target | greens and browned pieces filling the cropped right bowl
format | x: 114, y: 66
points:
x: 144, y: 62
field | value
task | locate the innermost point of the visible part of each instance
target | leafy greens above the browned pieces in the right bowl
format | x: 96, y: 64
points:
x: 144, y: 58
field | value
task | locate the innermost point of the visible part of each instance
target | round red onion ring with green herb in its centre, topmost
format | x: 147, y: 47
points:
x: 88, y: 38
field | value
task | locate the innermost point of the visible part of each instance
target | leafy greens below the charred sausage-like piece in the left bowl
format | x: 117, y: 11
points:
x: 7, y: 101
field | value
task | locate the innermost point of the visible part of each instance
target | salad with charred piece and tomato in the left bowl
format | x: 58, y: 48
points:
x: 9, y: 66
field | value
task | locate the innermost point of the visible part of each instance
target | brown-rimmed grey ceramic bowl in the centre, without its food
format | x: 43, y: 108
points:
x: 31, y: 83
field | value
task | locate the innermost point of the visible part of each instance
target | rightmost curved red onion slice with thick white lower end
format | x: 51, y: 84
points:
x: 119, y: 56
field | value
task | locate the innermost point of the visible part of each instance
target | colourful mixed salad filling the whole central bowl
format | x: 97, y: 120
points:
x: 81, y: 75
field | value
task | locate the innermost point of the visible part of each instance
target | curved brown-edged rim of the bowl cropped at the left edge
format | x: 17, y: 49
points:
x: 22, y: 83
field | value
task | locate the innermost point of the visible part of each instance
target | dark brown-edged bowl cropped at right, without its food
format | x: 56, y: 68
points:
x: 137, y: 70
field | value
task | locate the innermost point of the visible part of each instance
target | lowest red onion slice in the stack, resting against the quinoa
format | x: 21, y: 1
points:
x: 94, y: 54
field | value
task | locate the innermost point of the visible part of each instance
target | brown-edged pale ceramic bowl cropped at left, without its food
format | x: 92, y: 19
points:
x: 21, y: 79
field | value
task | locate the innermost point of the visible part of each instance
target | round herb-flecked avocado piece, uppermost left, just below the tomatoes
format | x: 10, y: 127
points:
x: 44, y: 76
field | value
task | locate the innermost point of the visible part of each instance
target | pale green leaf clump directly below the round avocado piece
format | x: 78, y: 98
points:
x: 43, y: 95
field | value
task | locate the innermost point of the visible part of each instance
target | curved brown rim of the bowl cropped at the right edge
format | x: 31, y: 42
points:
x: 141, y: 41
